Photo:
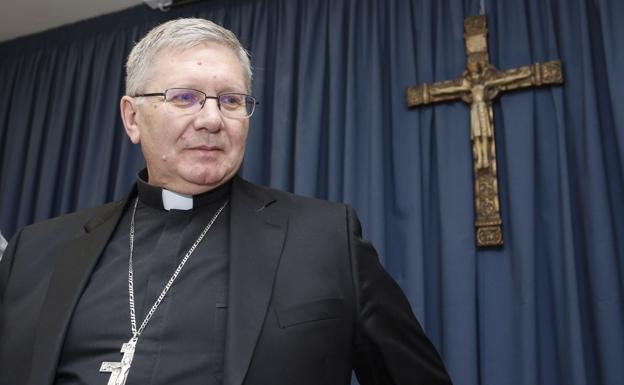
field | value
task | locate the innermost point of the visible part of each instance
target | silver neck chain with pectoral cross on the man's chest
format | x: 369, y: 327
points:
x: 119, y: 370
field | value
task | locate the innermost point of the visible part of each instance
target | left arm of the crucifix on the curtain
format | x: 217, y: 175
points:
x: 435, y: 92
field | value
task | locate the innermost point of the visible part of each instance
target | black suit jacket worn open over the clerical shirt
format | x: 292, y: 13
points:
x: 308, y: 299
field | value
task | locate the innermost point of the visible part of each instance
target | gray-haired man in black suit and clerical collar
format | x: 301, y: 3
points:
x: 199, y: 277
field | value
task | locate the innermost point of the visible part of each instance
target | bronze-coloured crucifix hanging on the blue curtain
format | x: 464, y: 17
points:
x: 479, y: 84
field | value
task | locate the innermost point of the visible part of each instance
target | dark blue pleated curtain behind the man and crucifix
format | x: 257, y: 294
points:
x: 545, y: 309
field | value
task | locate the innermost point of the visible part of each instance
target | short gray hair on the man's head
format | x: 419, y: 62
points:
x: 179, y: 33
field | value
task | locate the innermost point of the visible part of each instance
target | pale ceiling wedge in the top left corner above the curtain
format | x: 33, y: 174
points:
x: 24, y: 17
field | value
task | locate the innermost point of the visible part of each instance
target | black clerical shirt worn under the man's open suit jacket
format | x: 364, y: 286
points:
x: 184, y: 341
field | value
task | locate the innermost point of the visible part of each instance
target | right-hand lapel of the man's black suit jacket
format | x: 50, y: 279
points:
x: 257, y: 232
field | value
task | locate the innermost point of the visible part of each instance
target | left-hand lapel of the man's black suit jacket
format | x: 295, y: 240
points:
x: 71, y: 274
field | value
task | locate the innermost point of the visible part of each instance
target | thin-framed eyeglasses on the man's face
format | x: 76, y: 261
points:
x: 231, y: 105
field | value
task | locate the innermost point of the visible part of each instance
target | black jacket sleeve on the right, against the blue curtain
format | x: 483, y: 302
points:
x: 390, y: 347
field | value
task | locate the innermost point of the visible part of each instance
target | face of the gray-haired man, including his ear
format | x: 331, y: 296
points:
x: 196, y: 152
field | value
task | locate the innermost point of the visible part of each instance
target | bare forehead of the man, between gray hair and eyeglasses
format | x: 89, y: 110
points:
x: 198, y: 66
